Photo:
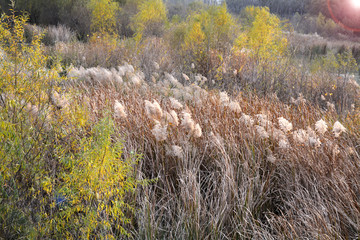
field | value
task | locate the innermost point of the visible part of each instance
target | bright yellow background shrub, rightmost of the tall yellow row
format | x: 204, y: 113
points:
x: 265, y: 47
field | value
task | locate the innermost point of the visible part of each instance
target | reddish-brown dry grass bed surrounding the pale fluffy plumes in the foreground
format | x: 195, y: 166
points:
x: 230, y: 183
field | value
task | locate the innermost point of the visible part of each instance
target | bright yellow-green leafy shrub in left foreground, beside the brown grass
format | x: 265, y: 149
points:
x: 96, y: 181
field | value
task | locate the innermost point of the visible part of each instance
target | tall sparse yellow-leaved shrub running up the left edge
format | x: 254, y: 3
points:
x: 25, y: 161
